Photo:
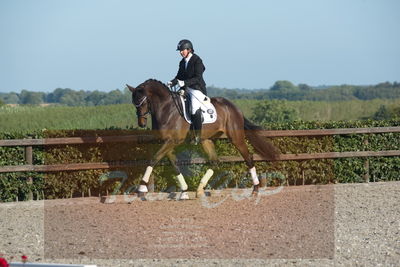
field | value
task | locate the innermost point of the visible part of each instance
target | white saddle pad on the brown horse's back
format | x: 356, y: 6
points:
x: 209, y: 113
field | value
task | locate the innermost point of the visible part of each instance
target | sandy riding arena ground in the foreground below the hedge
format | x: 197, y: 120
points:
x: 327, y: 225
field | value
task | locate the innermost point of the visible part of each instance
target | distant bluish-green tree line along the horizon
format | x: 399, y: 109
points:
x: 281, y: 90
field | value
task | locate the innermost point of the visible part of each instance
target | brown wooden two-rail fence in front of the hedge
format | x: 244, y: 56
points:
x: 29, y: 143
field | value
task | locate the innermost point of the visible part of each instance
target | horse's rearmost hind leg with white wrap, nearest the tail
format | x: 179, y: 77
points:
x: 238, y: 140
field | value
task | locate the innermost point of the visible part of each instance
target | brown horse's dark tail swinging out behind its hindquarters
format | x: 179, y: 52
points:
x: 260, y: 144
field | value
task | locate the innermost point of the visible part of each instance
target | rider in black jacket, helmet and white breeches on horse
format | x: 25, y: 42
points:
x: 190, y: 80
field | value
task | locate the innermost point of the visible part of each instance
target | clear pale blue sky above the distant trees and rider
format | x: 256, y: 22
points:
x: 102, y: 45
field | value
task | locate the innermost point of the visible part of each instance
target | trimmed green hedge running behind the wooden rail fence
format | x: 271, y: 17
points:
x: 78, y: 183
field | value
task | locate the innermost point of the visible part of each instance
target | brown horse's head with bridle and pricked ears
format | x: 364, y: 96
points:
x: 141, y: 102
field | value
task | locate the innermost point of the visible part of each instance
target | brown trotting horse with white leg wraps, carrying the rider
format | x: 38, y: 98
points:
x: 155, y: 98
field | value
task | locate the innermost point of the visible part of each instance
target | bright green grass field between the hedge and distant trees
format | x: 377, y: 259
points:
x: 29, y: 118
